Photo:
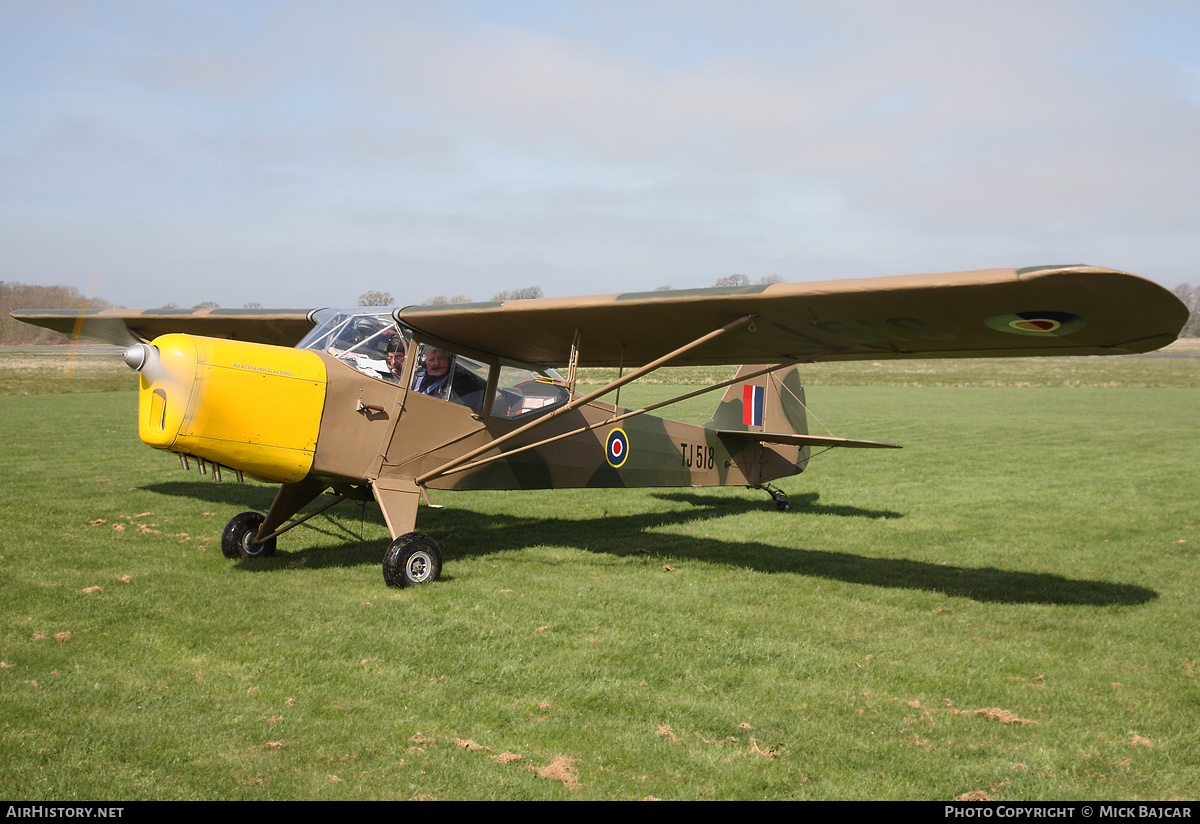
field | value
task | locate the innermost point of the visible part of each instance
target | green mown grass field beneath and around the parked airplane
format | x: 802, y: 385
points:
x: 1007, y: 606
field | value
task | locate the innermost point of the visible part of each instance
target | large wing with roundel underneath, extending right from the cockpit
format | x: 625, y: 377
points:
x: 994, y: 312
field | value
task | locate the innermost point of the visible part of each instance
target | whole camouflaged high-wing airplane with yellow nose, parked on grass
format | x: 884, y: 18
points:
x: 387, y: 405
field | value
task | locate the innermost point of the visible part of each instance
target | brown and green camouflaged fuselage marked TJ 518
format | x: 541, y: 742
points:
x: 373, y: 430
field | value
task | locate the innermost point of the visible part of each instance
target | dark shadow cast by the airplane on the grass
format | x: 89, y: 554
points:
x: 467, y: 534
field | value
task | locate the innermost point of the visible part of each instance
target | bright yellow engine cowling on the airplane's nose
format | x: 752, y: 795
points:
x: 245, y: 406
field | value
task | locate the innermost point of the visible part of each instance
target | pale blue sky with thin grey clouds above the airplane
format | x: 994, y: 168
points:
x: 301, y: 154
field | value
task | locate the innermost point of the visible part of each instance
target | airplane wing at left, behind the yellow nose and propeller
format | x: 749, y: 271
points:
x: 283, y: 328
